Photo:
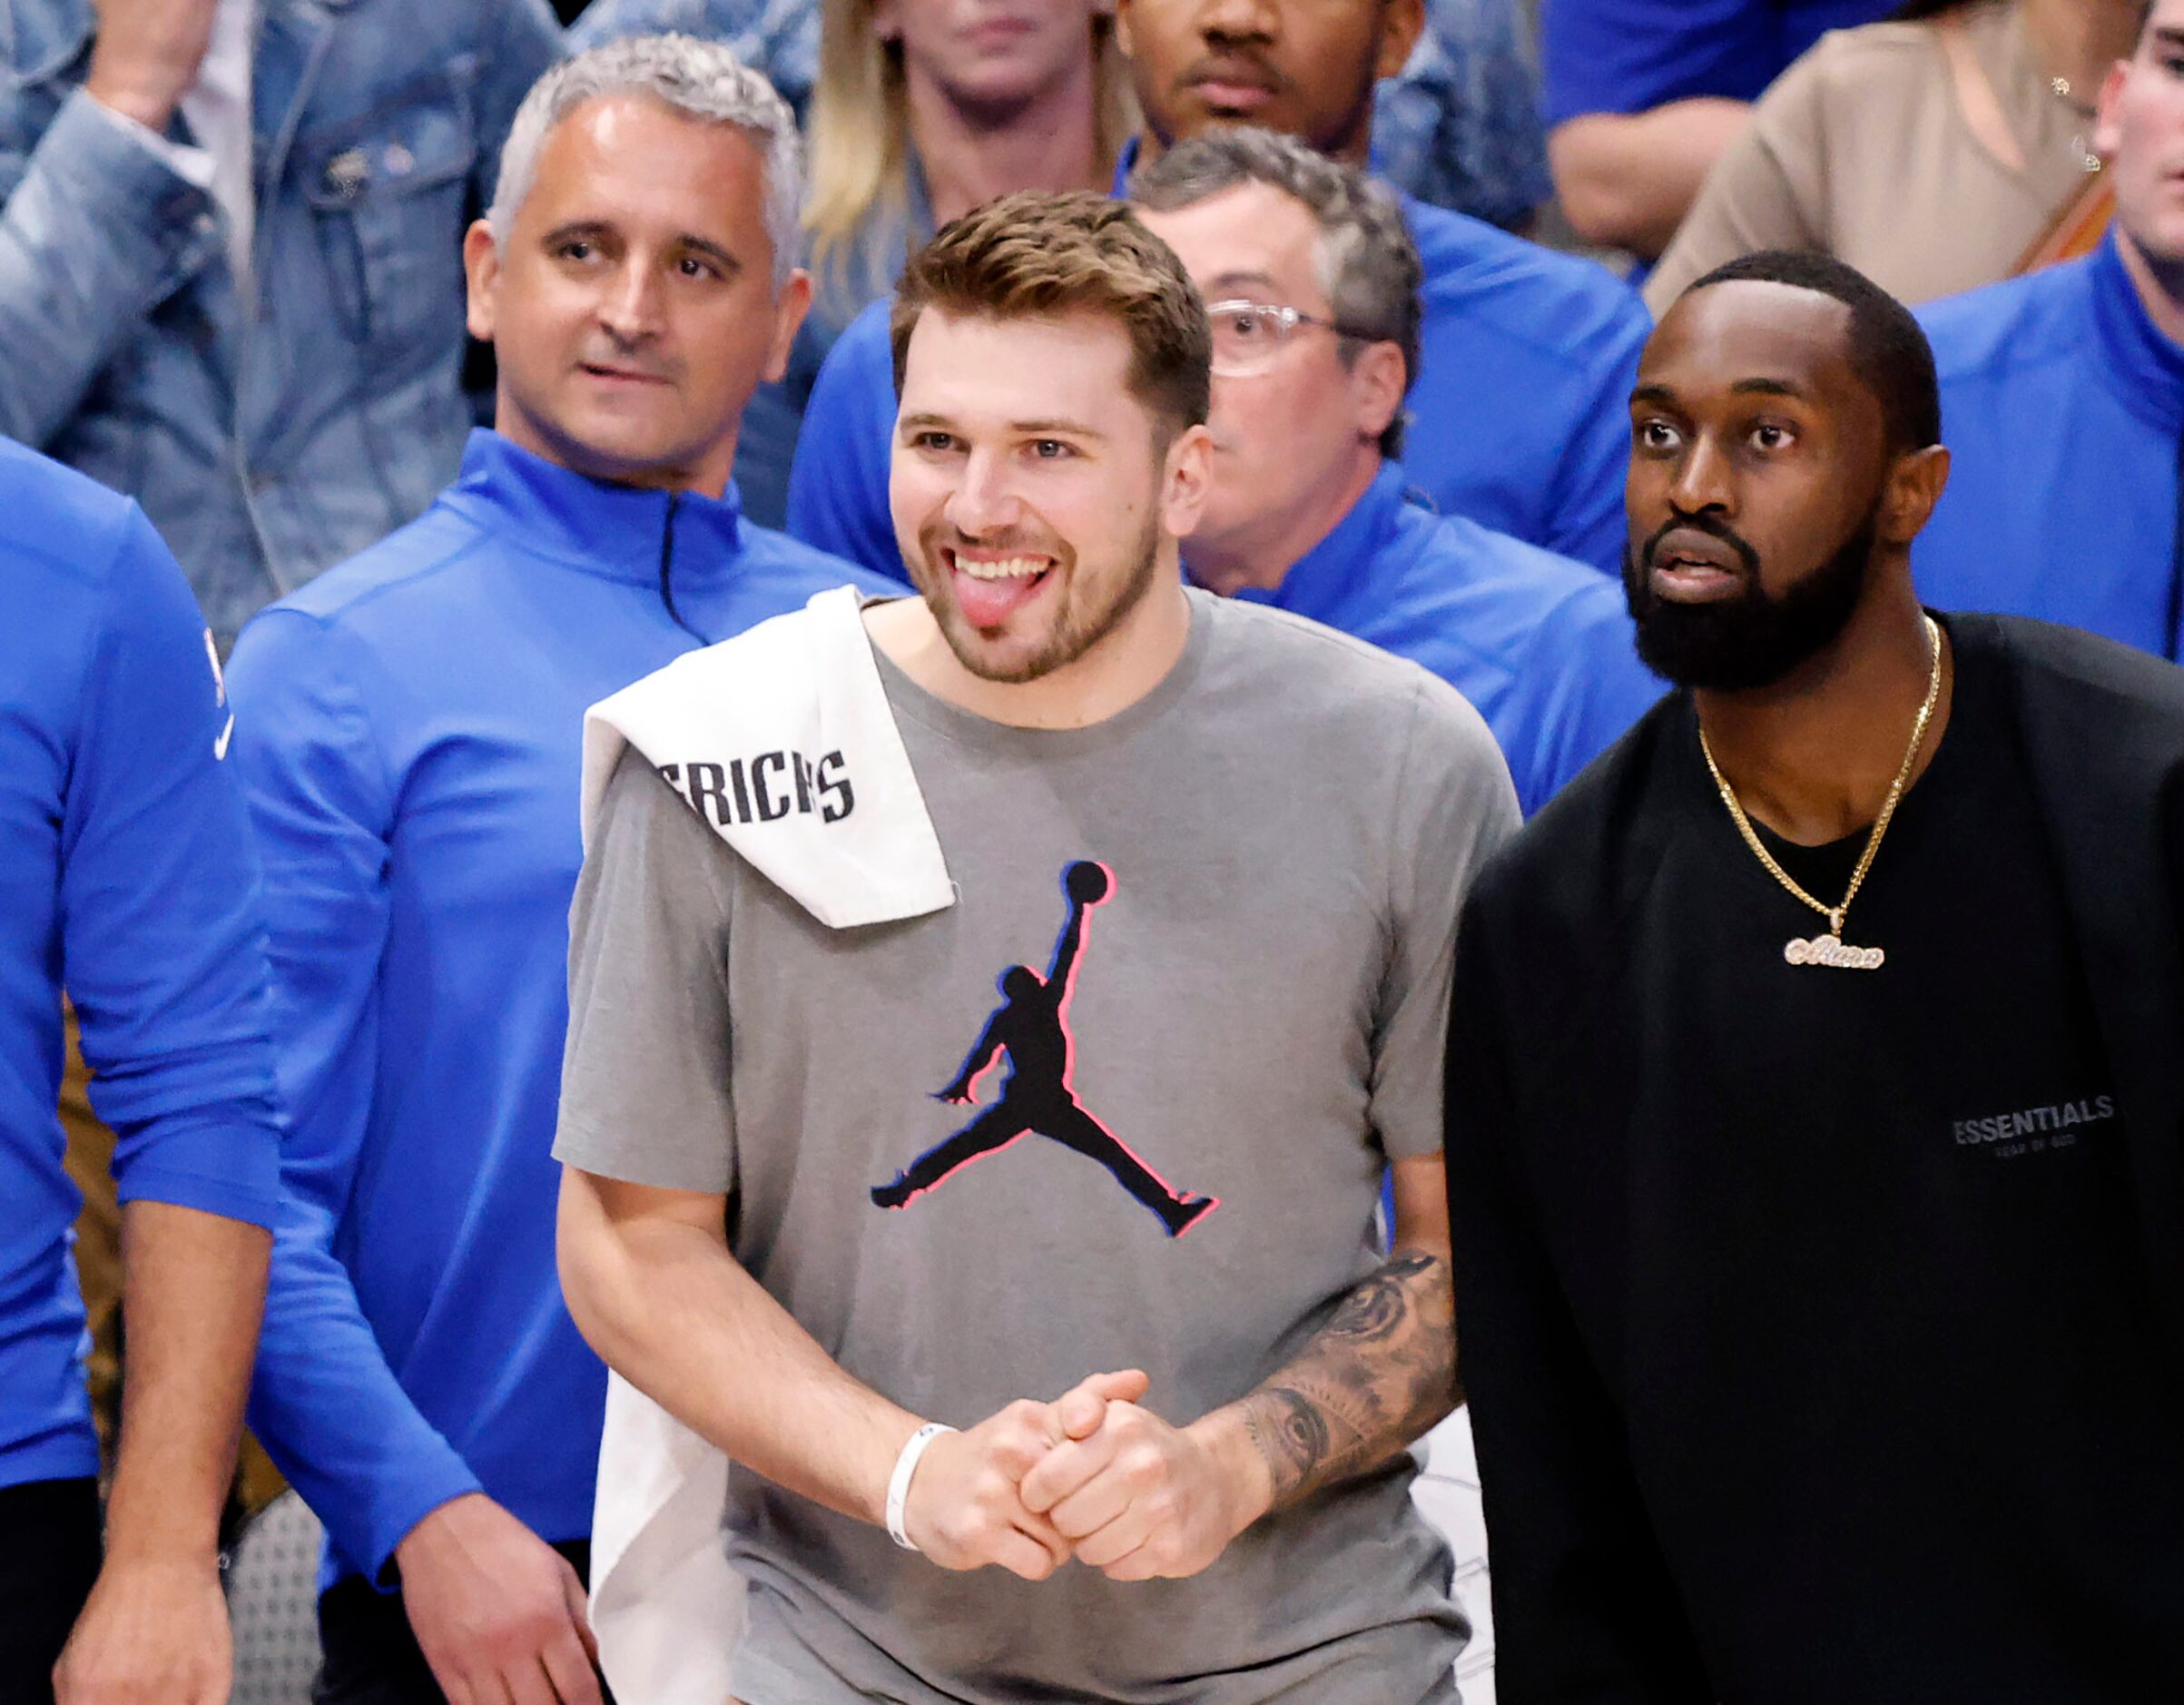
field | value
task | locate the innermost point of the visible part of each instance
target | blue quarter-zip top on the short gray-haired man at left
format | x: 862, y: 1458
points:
x: 412, y: 750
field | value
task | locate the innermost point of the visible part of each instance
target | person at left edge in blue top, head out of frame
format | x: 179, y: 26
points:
x: 128, y: 877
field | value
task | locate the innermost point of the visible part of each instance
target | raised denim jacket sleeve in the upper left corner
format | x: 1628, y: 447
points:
x: 97, y: 232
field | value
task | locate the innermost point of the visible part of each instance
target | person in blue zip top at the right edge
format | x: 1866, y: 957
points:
x: 2065, y: 398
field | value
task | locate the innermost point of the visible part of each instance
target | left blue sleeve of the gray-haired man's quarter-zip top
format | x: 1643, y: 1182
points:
x: 324, y: 1400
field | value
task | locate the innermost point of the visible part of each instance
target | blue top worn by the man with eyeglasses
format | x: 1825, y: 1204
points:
x: 1543, y: 647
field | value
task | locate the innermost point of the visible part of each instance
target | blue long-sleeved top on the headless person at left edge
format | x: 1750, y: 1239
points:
x: 128, y: 879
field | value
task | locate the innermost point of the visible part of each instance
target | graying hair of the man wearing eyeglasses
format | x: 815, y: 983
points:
x: 1368, y: 263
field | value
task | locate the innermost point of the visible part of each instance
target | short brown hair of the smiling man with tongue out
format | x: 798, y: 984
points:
x: 1041, y: 257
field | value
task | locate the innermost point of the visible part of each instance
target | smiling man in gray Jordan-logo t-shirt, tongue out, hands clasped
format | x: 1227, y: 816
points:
x: 1087, y: 1162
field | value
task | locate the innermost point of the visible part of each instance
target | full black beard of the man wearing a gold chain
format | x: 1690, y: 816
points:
x: 1750, y: 641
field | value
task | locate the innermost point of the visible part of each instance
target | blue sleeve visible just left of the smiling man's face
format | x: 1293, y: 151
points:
x: 838, y: 488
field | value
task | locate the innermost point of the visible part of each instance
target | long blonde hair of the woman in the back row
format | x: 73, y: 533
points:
x: 859, y: 130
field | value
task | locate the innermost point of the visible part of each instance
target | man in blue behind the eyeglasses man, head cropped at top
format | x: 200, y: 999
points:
x: 1541, y: 344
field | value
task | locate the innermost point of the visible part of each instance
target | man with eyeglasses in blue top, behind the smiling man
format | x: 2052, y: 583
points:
x: 1311, y: 285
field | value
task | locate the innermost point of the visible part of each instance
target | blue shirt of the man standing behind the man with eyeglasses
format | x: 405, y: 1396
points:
x: 1519, y: 412
